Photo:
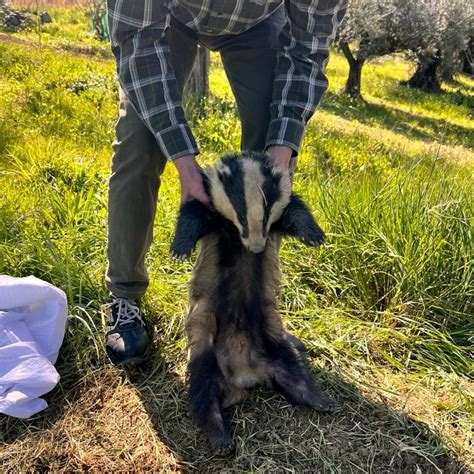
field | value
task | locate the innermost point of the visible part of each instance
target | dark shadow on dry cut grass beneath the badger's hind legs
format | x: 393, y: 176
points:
x: 271, y: 435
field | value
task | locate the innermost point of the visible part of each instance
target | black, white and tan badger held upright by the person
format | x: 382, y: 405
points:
x: 236, y: 335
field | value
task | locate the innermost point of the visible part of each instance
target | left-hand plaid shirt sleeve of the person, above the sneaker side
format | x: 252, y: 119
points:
x: 137, y: 30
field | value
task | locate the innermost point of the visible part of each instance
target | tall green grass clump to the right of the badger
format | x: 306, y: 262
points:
x: 399, y: 259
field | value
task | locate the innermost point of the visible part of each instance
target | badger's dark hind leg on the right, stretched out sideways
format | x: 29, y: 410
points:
x: 292, y: 377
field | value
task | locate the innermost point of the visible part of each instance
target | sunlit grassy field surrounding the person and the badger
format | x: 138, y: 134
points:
x: 385, y: 307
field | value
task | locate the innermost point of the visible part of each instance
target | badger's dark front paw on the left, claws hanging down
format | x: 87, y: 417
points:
x: 191, y: 226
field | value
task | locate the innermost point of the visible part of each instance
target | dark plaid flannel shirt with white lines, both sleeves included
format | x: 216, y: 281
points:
x: 139, y: 44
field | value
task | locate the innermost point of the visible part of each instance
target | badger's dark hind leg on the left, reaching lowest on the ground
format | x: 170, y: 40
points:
x: 207, y: 385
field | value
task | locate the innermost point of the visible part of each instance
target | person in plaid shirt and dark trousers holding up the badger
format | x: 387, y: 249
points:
x: 274, y: 53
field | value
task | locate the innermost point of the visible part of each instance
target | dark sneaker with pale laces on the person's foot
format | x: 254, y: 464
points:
x: 126, y: 338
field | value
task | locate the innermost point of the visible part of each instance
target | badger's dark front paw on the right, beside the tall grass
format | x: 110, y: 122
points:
x: 298, y: 222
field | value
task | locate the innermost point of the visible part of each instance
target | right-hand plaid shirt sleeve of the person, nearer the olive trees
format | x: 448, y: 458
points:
x: 300, y: 81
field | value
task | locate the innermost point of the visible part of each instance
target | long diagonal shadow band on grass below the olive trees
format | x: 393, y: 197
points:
x: 412, y: 125
